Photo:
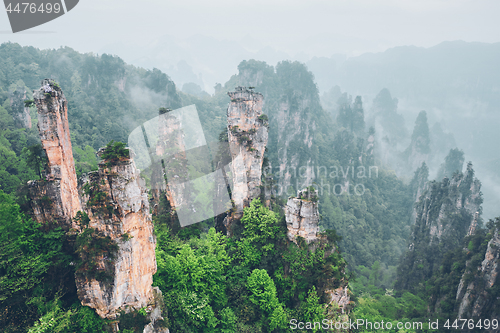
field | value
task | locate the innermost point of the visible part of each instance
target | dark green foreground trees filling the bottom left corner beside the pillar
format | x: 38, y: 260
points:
x: 37, y: 290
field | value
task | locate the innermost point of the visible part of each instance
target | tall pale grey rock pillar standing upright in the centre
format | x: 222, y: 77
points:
x: 247, y: 135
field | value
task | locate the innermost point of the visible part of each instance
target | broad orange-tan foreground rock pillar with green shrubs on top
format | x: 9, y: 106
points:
x: 122, y: 214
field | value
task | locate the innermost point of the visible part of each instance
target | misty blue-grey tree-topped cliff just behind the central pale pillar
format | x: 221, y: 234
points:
x: 295, y: 113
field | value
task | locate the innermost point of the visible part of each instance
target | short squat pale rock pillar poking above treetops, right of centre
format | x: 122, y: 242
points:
x: 302, y: 216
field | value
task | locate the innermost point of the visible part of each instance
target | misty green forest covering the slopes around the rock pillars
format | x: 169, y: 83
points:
x: 378, y: 241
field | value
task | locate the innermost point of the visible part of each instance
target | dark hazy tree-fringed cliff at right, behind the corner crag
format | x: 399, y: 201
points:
x: 446, y: 212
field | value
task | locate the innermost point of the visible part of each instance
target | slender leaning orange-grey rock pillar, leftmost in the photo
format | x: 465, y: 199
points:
x: 55, y: 198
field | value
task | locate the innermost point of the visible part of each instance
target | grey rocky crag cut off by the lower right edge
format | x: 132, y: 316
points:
x: 476, y: 299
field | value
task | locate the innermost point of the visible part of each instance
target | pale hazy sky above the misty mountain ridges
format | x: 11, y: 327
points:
x: 312, y: 27
